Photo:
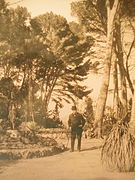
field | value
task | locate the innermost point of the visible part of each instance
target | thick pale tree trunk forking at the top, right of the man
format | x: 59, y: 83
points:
x: 111, y: 13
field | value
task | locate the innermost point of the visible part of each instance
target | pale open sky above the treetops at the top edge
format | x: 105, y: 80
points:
x: 36, y: 7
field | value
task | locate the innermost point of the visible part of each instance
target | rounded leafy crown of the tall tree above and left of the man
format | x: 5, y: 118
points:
x: 66, y: 50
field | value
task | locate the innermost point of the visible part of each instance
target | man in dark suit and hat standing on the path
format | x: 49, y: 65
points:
x: 76, y: 123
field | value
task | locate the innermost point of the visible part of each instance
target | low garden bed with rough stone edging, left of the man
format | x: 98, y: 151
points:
x: 44, y: 143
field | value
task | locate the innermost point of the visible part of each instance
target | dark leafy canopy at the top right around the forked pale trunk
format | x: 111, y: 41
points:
x: 93, y: 14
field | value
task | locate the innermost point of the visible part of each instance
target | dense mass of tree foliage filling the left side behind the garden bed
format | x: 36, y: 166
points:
x: 41, y: 60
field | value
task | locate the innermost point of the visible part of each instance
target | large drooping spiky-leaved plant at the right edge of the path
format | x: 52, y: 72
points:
x: 118, y: 151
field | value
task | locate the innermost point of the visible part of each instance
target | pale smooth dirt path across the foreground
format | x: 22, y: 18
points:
x: 84, y: 165
